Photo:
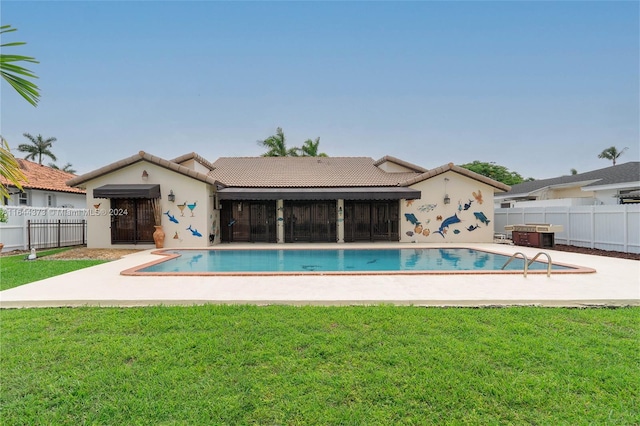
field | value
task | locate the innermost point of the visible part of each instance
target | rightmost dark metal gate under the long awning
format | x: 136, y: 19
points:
x: 371, y: 221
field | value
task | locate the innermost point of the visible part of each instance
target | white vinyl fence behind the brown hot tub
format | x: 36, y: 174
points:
x: 606, y: 227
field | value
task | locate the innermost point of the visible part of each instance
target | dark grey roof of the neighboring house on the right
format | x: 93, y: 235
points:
x: 621, y: 175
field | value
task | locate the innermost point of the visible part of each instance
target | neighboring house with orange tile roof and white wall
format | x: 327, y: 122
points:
x: 45, y: 187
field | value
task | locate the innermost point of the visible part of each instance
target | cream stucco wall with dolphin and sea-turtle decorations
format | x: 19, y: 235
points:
x: 467, y: 218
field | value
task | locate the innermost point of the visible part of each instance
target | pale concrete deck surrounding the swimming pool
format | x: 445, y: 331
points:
x: 616, y: 282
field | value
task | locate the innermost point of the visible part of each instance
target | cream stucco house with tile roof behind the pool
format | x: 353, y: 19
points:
x: 284, y: 200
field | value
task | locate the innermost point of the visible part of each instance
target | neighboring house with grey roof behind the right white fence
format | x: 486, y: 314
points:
x: 619, y: 184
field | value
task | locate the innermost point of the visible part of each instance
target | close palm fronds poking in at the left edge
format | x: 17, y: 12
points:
x: 12, y: 72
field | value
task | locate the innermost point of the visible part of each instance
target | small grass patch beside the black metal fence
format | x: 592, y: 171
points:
x: 15, y: 271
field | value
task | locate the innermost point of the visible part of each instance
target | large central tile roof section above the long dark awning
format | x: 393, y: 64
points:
x: 310, y: 172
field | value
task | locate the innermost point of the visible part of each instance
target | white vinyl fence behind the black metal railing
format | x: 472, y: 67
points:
x: 42, y: 227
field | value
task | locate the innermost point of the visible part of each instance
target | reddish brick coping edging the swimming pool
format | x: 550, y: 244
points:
x: 136, y: 270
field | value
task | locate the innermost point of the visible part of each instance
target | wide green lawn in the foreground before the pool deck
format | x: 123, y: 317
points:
x: 319, y: 365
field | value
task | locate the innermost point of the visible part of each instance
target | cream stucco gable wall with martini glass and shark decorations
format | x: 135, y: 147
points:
x: 186, y: 190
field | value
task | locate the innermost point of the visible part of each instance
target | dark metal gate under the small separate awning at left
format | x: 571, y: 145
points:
x: 131, y: 221
